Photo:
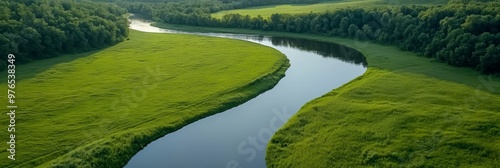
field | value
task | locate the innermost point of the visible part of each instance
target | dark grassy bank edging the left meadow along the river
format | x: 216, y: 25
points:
x: 118, y: 148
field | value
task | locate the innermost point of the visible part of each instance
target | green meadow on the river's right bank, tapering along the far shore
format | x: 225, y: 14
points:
x: 404, y: 111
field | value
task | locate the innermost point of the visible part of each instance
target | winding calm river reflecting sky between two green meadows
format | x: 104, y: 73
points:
x: 238, y: 137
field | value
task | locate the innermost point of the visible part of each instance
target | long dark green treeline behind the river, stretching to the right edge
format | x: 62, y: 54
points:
x: 462, y: 33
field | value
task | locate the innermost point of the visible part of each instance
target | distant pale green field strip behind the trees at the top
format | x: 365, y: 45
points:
x: 266, y: 11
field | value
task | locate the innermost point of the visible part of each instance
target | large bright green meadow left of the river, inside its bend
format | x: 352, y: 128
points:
x: 98, y: 109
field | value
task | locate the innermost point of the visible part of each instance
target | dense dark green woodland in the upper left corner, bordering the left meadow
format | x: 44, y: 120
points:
x: 36, y: 29
